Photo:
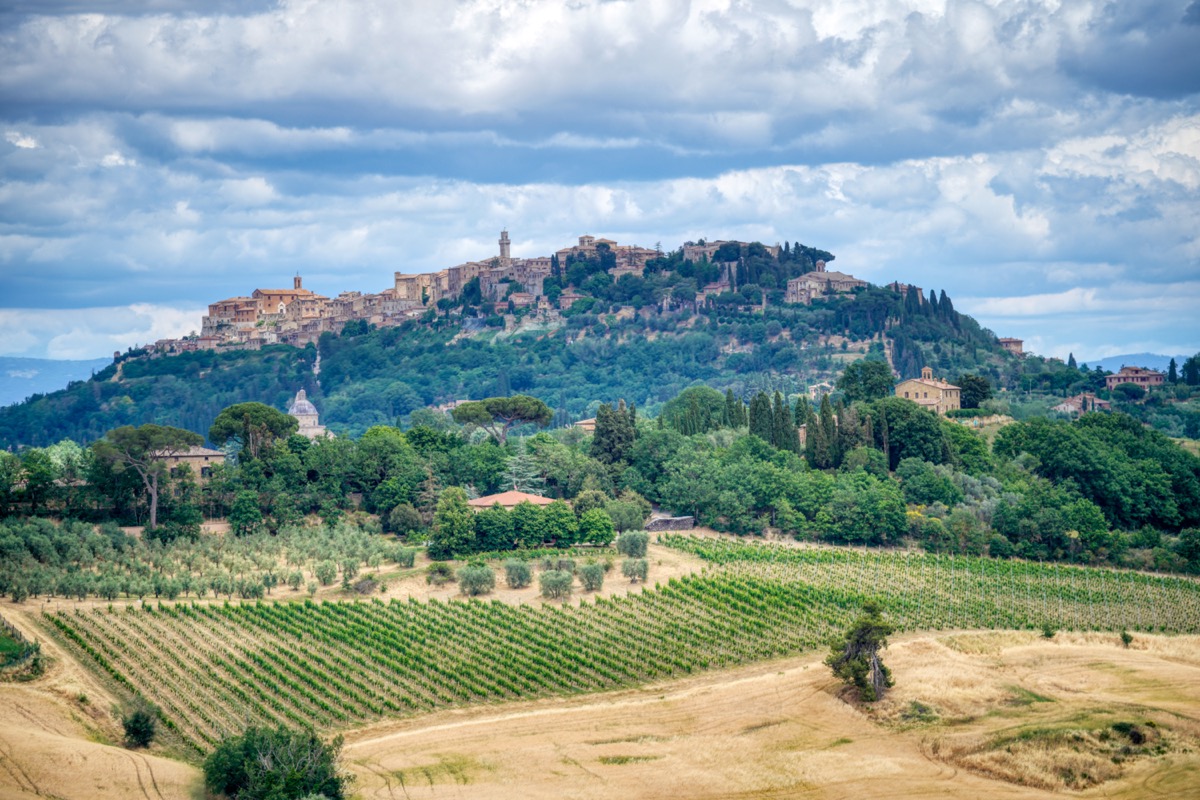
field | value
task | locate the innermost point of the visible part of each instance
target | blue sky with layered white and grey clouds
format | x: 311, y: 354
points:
x: 1039, y: 161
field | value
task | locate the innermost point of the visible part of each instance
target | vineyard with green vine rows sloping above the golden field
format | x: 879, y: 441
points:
x: 215, y: 669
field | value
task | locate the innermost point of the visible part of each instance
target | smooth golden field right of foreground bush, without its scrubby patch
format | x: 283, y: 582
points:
x: 779, y: 731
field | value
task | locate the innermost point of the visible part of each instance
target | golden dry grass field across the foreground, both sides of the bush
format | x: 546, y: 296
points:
x: 975, y: 714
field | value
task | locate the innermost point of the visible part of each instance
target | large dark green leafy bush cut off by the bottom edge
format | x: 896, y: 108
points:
x: 277, y: 765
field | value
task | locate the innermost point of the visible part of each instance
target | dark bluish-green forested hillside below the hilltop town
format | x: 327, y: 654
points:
x: 376, y: 377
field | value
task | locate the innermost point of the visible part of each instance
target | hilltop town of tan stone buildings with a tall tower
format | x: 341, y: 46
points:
x: 502, y: 284
